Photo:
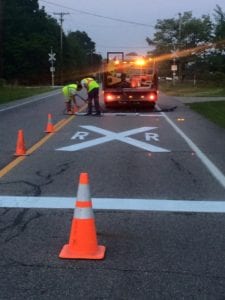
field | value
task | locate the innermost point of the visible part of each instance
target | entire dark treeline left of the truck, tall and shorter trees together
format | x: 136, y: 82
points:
x: 27, y: 35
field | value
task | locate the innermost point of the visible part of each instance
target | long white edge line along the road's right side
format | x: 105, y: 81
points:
x: 217, y: 174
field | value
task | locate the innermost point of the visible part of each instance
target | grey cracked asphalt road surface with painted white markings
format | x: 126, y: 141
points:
x: 131, y: 157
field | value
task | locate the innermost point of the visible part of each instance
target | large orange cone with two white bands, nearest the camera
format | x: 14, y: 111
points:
x: 83, y: 240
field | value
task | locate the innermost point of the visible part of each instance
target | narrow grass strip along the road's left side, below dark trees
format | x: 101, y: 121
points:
x: 11, y: 93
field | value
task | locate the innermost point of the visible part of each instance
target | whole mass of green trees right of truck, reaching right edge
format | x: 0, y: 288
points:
x: 186, y: 32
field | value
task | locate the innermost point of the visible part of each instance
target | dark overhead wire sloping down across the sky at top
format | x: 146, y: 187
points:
x: 98, y: 15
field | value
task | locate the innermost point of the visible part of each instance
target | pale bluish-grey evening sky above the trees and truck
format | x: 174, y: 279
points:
x: 111, y: 35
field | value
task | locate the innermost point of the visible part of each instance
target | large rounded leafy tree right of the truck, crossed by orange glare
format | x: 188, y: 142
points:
x: 177, y: 38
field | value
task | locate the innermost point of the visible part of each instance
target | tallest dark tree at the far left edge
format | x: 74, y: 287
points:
x: 29, y: 33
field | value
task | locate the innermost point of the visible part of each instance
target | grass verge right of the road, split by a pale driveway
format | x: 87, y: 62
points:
x: 212, y: 110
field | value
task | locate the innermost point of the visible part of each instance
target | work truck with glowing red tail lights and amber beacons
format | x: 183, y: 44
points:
x: 129, y: 80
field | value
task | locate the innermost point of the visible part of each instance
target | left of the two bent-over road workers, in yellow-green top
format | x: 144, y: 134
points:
x: 69, y: 91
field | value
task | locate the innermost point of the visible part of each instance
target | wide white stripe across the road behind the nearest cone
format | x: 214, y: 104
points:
x: 198, y: 206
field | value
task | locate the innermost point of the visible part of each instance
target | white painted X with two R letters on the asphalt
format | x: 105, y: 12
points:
x: 110, y: 136
